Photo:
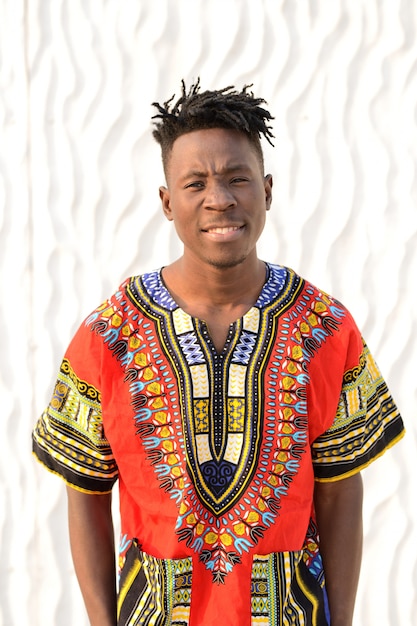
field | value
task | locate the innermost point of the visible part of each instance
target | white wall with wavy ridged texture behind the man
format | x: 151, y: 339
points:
x: 79, y: 211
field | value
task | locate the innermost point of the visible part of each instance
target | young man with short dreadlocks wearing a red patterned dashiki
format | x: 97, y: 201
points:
x: 235, y: 402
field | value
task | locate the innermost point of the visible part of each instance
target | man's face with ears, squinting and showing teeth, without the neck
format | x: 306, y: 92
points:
x: 217, y: 196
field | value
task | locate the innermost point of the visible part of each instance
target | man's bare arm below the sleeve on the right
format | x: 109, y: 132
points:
x: 339, y: 517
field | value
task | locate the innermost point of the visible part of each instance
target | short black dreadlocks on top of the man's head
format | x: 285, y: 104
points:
x: 224, y: 108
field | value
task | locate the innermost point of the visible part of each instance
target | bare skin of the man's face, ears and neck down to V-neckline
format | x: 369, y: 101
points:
x: 217, y: 199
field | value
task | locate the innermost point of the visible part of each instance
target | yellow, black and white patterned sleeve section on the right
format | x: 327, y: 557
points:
x: 367, y: 423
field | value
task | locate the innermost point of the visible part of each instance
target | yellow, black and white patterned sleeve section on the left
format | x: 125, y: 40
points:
x: 69, y: 438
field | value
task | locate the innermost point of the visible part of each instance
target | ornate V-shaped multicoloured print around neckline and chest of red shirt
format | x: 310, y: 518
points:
x: 225, y: 432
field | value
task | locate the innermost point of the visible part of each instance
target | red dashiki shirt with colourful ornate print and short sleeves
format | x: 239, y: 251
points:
x: 216, y: 454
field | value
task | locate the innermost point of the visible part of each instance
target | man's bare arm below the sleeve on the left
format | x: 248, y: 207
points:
x: 92, y: 546
